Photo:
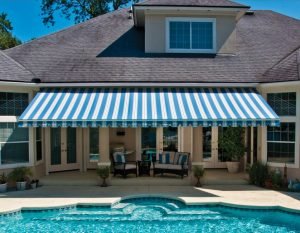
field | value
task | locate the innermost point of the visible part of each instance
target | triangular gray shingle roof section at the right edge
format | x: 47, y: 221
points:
x: 286, y: 68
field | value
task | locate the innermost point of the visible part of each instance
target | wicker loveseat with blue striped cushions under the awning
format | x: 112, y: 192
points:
x: 177, y: 163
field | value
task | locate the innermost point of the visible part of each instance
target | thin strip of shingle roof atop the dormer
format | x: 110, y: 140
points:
x: 193, y: 3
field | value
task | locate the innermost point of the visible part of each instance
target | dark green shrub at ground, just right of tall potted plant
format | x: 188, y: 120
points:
x: 258, y: 174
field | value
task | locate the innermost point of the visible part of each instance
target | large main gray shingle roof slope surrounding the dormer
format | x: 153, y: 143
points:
x: 109, y: 49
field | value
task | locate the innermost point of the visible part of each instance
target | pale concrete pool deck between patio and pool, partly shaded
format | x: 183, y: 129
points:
x: 62, y: 196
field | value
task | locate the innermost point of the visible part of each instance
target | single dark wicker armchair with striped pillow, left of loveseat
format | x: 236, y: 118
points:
x: 123, y: 167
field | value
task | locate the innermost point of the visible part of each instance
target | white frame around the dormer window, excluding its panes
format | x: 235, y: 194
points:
x: 190, y: 20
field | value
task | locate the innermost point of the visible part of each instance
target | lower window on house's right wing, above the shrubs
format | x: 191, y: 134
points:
x: 281, y: 143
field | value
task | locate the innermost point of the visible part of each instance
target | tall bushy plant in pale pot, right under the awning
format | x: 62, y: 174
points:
x: 232, y: 143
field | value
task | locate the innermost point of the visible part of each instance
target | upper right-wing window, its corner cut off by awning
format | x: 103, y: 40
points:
x: 284, y: 104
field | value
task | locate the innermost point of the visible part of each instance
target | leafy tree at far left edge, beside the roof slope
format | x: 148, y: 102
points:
x: 7, y: 40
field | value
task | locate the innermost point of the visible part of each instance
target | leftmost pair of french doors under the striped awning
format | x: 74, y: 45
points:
x: 64, y: 154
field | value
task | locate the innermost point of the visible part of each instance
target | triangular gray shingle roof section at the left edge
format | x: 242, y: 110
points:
x: 11, y: 70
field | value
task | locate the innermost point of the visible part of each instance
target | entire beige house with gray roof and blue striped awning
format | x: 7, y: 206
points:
x: 167, y: 75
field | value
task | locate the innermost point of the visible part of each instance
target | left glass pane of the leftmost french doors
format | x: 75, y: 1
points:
x: 55, y: 146
